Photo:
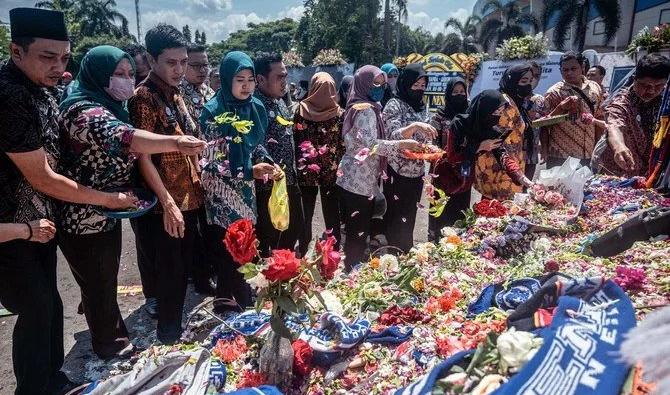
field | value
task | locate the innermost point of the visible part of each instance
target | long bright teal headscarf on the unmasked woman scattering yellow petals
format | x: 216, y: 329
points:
x: 251, y: 109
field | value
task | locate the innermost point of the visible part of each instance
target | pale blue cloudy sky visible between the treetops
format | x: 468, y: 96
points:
x: 219, y: 18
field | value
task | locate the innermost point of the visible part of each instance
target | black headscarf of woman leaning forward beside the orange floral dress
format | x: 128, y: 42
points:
x: 478, y: 122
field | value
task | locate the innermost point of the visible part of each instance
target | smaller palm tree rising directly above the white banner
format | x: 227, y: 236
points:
x: 509, y: 25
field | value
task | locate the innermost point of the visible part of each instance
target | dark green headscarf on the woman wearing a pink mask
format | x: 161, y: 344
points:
x: 97, y: 67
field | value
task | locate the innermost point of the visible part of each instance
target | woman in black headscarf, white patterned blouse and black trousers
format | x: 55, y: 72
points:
x: 405, y: 116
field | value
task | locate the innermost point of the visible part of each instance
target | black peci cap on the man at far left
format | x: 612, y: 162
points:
x: 38, y: 23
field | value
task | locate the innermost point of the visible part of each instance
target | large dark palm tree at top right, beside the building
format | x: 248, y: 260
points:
x: 576, y: 12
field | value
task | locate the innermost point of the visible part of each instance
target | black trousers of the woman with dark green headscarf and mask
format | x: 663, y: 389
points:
x: 94, y: 260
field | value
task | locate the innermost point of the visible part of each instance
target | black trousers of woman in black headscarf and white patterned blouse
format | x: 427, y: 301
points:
x: 402, y: 196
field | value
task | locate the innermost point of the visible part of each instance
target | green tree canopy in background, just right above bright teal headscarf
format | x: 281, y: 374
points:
x: 275, y: 36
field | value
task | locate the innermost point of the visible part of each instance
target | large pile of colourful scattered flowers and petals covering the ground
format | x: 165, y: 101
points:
x: 420, y: 300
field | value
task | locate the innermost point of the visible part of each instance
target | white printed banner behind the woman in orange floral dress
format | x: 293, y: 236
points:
x: 492, y: 70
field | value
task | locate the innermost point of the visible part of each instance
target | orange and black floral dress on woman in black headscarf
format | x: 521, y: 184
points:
x: 497, y: 173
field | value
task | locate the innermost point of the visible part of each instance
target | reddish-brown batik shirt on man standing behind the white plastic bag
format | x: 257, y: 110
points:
x: 573, y: 138
